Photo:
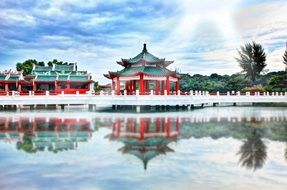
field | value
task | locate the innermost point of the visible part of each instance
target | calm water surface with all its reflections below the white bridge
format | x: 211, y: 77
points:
x: 211, y: 148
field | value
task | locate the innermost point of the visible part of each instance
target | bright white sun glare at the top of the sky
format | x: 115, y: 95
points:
x: 218, y: 13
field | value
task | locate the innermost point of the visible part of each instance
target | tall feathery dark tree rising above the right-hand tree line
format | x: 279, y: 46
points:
x: 252, y: 59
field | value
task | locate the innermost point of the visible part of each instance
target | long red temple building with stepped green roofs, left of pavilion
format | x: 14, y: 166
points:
x: 56, y: 79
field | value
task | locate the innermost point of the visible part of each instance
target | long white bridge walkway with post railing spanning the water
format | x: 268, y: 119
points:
x: 110, y: 98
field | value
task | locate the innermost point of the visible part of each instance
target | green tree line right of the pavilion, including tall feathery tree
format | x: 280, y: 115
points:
x: 252, y: 60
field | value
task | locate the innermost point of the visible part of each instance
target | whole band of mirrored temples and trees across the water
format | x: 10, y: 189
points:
x: 144, y: 136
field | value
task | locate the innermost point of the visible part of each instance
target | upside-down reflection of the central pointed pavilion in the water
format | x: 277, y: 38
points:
x: 145, y: 138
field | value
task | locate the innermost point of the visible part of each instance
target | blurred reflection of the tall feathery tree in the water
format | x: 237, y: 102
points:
x: 253, y: 152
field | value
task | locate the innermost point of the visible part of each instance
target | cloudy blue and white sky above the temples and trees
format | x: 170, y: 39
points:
x: 200, y: 36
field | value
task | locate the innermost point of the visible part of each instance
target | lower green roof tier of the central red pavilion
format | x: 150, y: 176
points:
x: 148, y: 70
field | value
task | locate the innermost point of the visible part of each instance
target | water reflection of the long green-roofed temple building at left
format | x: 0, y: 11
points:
x: 40, y: 133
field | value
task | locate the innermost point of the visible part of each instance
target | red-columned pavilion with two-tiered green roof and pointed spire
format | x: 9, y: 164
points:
x: 145, y: 72
